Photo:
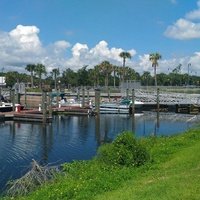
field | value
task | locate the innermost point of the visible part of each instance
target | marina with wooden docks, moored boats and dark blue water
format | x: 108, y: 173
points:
x: 74, y: 126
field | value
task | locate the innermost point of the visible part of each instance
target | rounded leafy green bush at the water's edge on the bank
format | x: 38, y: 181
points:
x: 123, y: 151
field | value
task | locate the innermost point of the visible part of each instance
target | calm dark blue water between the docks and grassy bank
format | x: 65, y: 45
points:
x: 70, y: 138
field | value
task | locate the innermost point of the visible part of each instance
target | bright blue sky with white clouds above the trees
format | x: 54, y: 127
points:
x: 74, y: 33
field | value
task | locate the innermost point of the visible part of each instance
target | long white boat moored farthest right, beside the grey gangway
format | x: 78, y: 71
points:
x: 122, y: 107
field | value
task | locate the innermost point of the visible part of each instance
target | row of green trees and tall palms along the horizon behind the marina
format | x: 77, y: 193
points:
x: 103, y: 74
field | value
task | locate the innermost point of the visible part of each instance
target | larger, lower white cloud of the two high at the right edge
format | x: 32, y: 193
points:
x: 183, y: 30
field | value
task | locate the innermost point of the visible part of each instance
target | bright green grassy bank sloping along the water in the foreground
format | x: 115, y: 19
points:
x: 173, y: 172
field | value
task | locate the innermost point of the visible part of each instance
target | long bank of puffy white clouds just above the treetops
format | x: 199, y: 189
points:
x: 22, y: 46
